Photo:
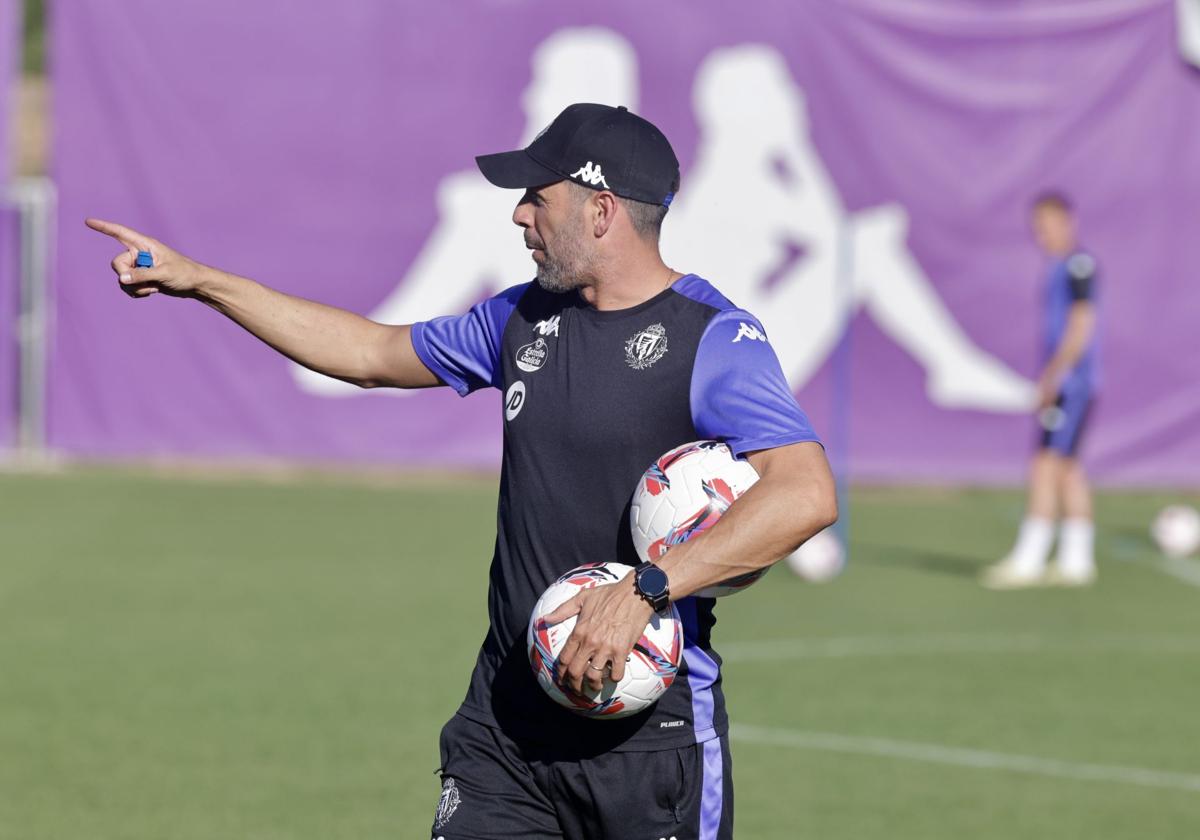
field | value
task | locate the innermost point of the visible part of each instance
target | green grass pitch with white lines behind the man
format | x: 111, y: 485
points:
x: 202, y: 659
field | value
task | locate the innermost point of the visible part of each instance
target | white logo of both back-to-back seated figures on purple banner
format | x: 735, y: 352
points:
x: 759, y: 215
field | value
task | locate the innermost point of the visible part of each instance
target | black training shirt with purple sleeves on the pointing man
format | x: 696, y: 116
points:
x: 591, y: 400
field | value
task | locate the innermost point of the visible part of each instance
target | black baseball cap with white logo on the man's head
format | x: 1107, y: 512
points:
x: 597, y: 147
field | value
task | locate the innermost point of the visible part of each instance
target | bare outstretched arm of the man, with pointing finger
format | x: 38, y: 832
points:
x: 326, y: 339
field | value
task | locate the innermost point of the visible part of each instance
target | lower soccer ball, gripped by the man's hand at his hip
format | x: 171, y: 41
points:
x: 650, y: 669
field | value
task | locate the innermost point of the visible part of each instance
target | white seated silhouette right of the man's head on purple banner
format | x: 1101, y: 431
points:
x: 761, y: 217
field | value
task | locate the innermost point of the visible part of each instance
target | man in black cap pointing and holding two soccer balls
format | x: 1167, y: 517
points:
x: 609, y: 359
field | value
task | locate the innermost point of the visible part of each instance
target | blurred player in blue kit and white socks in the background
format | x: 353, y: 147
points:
x: 1066, y: 391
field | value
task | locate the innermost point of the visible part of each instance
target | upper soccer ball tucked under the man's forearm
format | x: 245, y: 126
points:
x: 683, y: 495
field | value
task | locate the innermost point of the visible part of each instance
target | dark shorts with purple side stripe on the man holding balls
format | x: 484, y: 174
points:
x: 493, y: 789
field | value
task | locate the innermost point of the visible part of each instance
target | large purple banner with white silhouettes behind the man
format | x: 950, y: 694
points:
x: 857, y: 173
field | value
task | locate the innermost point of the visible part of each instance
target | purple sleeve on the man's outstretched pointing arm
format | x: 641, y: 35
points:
x: 465, y: 351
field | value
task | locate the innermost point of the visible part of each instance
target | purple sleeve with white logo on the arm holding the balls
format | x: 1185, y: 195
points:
x: 739, y: 391
